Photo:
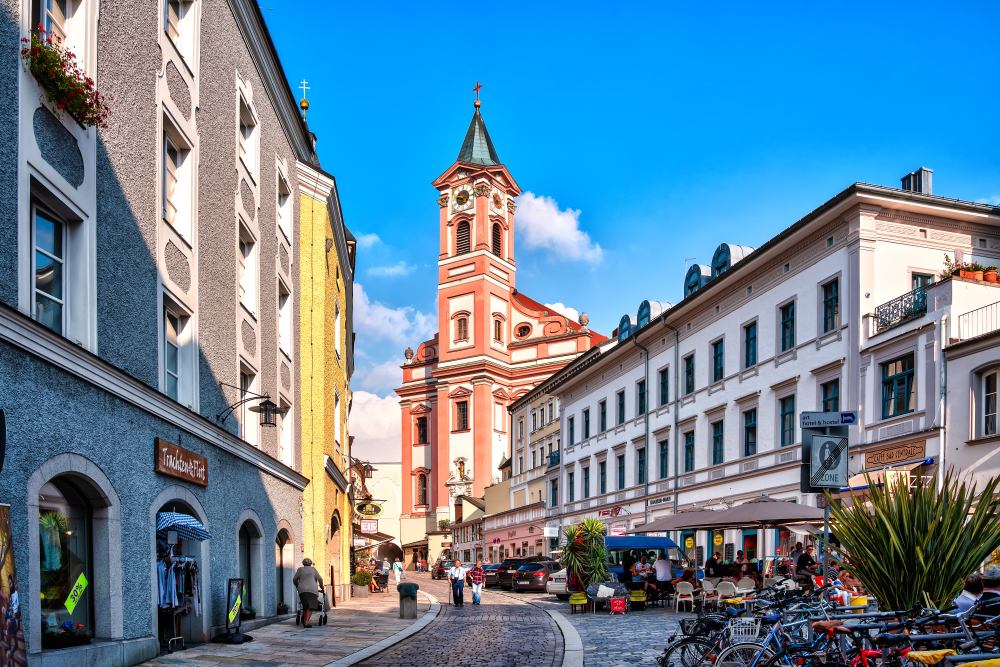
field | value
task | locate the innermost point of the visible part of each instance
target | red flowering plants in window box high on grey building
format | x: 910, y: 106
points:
x: 65, y: 83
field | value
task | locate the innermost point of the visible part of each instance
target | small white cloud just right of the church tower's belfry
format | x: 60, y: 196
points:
x: 543, y: 225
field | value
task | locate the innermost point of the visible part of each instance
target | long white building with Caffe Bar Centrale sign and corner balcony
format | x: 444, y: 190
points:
x: 698, y: 404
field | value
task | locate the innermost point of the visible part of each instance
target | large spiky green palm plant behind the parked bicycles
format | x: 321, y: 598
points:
x: 917, y: 542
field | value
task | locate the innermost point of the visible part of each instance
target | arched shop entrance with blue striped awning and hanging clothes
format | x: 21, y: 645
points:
x: 180, y: 597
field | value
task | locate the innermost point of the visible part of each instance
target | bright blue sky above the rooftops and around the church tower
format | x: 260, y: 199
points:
x: 654, y: 131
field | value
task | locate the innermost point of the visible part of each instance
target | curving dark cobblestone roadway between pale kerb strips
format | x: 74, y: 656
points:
x: 504, y: 631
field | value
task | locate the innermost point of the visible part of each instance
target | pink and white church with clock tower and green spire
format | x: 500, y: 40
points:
x: 493, y: 345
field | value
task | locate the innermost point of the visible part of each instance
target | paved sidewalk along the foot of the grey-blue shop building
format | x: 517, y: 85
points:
x: 352, y: 626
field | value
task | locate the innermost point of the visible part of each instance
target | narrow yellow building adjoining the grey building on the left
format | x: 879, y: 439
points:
x: 325, y: 256
